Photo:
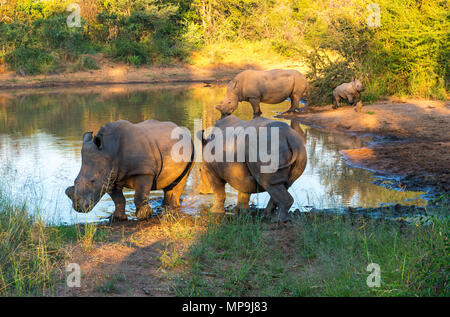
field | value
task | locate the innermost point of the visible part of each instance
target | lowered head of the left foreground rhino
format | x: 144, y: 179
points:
x: 95, y: 174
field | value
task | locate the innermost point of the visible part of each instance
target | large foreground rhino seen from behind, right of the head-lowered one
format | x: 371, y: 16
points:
x: 246, y: 174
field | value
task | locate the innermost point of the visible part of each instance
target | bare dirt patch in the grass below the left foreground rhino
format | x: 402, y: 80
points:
x: 127, y: 263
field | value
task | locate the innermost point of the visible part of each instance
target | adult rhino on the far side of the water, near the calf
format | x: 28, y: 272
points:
x: 272, y: 86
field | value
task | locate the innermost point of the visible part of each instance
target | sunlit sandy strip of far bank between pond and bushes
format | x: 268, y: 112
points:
x: 111, y: 72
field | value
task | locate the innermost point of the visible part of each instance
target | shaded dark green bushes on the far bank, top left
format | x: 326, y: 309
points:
x: 38, y: 39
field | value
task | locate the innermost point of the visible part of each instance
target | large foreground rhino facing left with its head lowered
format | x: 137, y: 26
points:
x: 136, y: 156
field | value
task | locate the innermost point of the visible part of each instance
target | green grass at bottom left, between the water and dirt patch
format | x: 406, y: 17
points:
x: 32, y: 254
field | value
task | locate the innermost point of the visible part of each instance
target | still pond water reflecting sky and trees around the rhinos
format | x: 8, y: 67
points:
x: 40, y: 142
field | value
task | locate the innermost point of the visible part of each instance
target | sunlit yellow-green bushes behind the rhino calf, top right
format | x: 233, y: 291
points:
x: 405, y: 55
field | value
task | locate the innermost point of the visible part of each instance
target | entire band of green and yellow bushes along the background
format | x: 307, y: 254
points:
x: 406, y: 55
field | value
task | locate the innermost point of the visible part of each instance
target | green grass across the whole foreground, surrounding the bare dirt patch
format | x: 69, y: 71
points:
x: 315, y: 255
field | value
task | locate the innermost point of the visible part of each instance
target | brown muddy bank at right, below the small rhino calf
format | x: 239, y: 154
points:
x: 408, y: 138
